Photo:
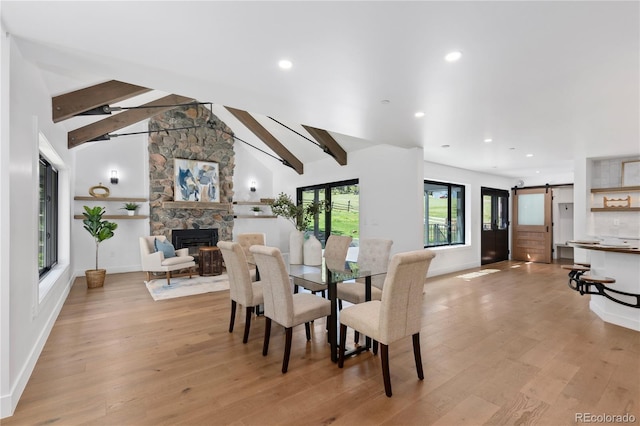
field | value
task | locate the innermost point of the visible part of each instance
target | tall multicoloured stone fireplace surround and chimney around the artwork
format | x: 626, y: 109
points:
x: 202, y: 143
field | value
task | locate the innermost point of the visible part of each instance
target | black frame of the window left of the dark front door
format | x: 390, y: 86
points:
x: 461, y: 217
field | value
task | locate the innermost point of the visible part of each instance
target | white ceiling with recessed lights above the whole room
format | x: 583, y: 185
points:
x: 558, y: 80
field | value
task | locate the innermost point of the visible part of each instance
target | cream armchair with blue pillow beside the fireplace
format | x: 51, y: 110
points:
x: 158, y: 255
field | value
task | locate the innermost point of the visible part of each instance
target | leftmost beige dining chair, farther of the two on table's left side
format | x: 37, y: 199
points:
x: 242, y: 290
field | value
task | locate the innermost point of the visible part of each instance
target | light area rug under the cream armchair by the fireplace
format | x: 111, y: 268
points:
x: 185, y: 286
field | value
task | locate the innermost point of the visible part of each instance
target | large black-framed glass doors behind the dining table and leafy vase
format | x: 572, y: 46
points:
x: 343, y: 218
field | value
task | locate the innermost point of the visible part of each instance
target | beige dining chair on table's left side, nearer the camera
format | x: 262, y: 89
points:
x: 281, y: 304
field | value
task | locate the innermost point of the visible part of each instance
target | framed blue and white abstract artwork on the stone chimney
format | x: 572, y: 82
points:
x: 196, y: 181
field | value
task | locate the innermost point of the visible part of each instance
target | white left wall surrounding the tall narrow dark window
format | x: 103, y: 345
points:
x: 26, y: 319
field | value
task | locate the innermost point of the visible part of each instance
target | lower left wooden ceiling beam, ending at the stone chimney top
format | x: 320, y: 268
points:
x: 124, y: 119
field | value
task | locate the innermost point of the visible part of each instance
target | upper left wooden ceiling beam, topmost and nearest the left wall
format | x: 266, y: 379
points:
x: 74, y: 103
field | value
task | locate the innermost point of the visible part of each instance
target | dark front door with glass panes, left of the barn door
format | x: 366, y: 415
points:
x: 495, y: 226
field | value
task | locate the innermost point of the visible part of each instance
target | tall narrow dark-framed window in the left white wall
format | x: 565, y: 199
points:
x: 48, y: 218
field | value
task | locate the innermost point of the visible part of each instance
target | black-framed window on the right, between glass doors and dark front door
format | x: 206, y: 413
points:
x: 443, y: 214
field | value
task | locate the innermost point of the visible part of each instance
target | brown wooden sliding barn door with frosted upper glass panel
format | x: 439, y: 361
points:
x: 531, y: 238
